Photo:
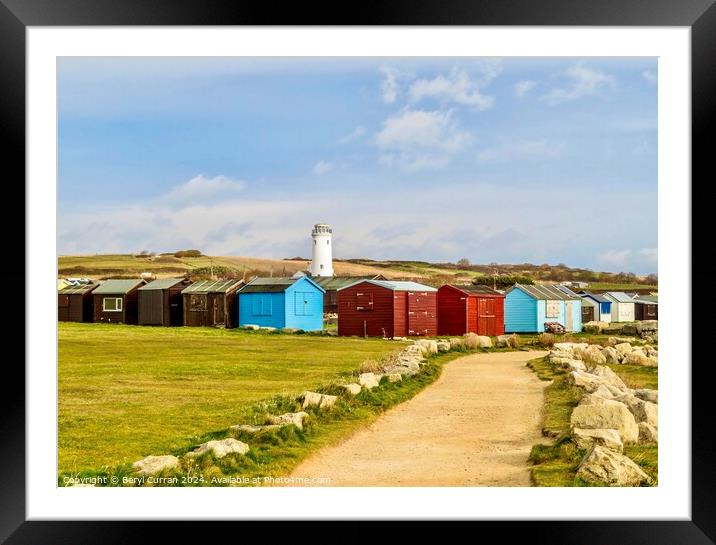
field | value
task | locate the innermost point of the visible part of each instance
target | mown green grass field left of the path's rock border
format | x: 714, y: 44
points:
x: 127, y: 391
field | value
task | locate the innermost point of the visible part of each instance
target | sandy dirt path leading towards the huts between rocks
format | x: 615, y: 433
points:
x: 473, y: 427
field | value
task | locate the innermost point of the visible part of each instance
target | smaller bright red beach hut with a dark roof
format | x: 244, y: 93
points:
x: 476, y: 309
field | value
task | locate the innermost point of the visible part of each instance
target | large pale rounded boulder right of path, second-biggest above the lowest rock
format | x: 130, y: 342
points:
x: 598, y: 413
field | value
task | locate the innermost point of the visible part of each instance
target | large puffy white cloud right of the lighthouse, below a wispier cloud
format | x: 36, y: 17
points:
x: 419, y: 139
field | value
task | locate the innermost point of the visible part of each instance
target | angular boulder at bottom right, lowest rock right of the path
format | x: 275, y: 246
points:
x: 602, y: 465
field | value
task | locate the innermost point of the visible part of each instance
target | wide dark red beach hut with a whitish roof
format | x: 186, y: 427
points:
x: 387, y: 308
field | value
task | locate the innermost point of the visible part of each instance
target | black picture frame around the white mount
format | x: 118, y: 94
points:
x: 699, y: 15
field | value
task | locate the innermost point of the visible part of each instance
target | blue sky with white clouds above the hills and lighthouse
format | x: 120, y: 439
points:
x: 512, y: 160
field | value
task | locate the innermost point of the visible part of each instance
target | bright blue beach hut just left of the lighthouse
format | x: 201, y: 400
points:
x: 282, y: 302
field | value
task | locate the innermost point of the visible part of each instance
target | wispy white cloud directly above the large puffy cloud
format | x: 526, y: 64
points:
x: 458, y: 87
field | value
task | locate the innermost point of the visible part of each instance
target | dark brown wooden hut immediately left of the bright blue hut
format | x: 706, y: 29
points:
x: 211, y: 303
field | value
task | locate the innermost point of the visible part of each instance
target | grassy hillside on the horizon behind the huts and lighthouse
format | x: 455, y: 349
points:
x: 126, y: 265
